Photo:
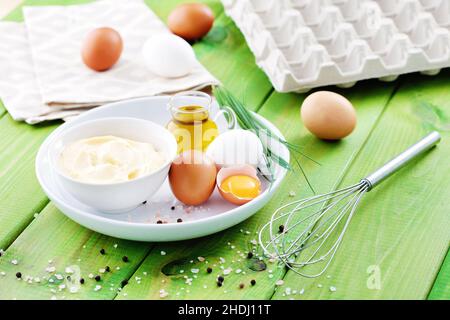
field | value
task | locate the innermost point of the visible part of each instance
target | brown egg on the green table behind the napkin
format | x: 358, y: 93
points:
x: 191, y: 21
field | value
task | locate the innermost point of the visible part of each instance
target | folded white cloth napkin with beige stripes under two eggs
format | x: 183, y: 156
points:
x: 42, y: 60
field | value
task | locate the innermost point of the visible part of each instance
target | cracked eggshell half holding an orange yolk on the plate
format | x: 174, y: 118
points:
x: 239, y: 185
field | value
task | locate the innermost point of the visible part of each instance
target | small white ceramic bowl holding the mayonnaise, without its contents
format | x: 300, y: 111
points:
x: 123, y: 196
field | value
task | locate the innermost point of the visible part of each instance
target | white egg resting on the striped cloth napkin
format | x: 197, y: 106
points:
x: 168, y: 56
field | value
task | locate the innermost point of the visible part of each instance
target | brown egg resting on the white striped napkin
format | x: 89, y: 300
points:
x: 102, y: 48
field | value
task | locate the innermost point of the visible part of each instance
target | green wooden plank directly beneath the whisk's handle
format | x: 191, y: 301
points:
x: 397, y: 240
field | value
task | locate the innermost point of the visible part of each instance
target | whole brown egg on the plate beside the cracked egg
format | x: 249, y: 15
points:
x: 192, y: 177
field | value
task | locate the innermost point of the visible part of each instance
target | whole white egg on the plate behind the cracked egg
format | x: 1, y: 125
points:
x: 236, y: 147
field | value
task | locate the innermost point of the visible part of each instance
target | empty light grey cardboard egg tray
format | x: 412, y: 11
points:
x: 303, y: 44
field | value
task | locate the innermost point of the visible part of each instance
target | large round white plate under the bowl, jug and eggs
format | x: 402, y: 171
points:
x: 140, y: 224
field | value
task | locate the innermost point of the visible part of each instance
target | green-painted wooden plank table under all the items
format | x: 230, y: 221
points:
x: 395, y: 248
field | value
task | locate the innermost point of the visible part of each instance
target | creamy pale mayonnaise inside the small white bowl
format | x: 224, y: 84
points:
x: 109, y: 159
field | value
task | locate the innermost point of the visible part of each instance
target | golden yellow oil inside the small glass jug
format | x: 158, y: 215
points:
x: 192, y: 128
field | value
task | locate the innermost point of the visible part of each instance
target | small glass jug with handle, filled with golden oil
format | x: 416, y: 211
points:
x: 191, y: 123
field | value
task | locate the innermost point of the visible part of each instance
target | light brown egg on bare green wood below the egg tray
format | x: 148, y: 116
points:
x: 328, y: 115
